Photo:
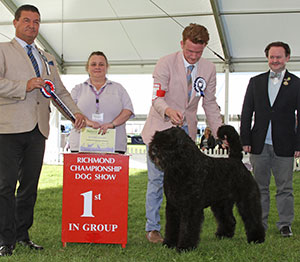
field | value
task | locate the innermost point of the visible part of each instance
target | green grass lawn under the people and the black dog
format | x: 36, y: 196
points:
x: 47, y: 231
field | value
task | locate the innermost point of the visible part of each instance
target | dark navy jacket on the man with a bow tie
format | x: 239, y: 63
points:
x: 283, y: 115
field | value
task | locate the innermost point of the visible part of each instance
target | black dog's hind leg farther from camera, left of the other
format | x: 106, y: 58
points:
x: 225, y: 219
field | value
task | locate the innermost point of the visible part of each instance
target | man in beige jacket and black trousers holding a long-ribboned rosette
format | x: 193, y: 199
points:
x: 24, y: 126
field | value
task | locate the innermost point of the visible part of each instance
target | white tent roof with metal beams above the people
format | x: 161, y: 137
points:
x: 134, y: 34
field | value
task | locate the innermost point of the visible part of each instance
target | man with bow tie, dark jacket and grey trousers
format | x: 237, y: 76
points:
x: 273, y: 139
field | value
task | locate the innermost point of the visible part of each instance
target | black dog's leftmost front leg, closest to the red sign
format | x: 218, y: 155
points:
x: 172, y: 226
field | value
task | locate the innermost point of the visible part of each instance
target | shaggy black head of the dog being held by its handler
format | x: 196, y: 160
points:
x: 166, y: 144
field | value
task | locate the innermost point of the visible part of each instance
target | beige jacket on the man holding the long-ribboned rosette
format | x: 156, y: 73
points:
x: 21, y: 111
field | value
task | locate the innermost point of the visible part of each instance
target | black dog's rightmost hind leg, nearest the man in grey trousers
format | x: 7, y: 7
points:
x: 250, y: 211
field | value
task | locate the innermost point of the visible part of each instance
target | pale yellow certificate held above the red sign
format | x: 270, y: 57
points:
x: 91, y: 141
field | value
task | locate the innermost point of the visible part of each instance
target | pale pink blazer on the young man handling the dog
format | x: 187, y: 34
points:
x: 170, y: 78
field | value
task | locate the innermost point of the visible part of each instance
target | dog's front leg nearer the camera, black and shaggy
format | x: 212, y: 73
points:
x: 190, y: 225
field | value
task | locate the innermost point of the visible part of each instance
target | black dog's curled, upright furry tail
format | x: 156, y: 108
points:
x: 228, y: 133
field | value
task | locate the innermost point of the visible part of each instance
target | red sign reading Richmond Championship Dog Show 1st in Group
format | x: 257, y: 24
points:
x: 95, y: 198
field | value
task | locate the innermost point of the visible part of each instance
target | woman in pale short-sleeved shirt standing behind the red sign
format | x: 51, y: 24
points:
x: 102, y: 101
